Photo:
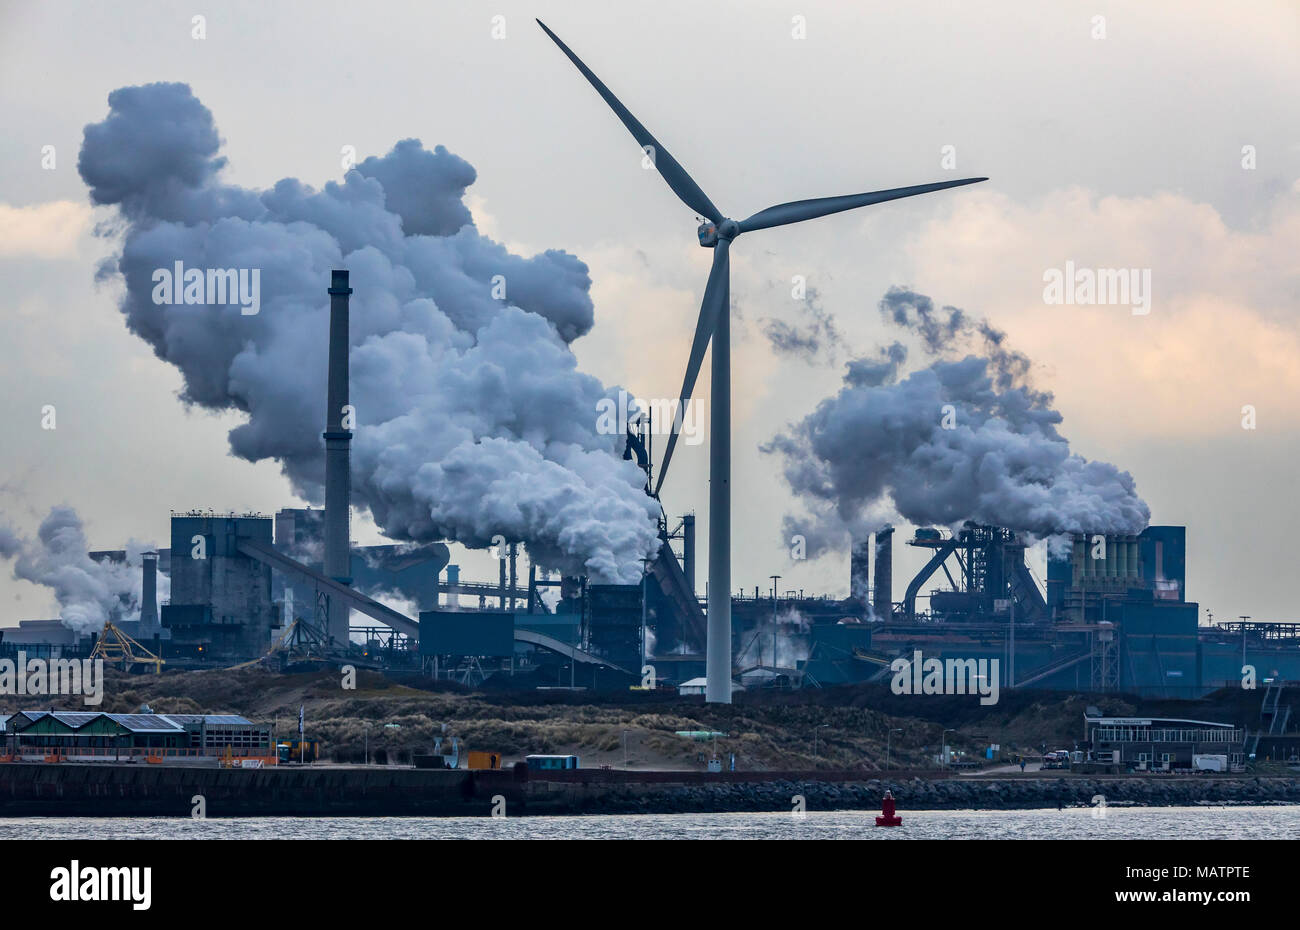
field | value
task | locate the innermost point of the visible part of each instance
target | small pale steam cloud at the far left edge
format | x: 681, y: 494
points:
x: 89, y: 591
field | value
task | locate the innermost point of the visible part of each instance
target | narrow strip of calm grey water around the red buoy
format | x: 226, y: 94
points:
x: 1238, y: 823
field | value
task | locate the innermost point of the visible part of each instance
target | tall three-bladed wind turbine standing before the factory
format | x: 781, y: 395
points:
x: 718, y: 232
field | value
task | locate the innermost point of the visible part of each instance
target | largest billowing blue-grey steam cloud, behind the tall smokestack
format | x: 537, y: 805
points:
x: 473, y: 419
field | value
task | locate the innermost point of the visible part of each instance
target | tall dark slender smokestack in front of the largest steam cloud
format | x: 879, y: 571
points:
x: 339, y: 474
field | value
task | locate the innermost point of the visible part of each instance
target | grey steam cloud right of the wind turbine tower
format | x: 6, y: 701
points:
x: 965, y: 439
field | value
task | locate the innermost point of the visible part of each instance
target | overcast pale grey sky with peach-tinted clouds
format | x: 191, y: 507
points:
x: 1124, y: 152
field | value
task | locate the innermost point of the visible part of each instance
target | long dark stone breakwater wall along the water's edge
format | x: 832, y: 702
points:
x: 172, y: 791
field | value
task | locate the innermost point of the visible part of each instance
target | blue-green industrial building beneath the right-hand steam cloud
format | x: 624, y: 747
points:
x: 1113, y: 616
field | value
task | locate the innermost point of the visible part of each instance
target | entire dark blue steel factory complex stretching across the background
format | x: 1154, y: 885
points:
x: 1112, y: 616
